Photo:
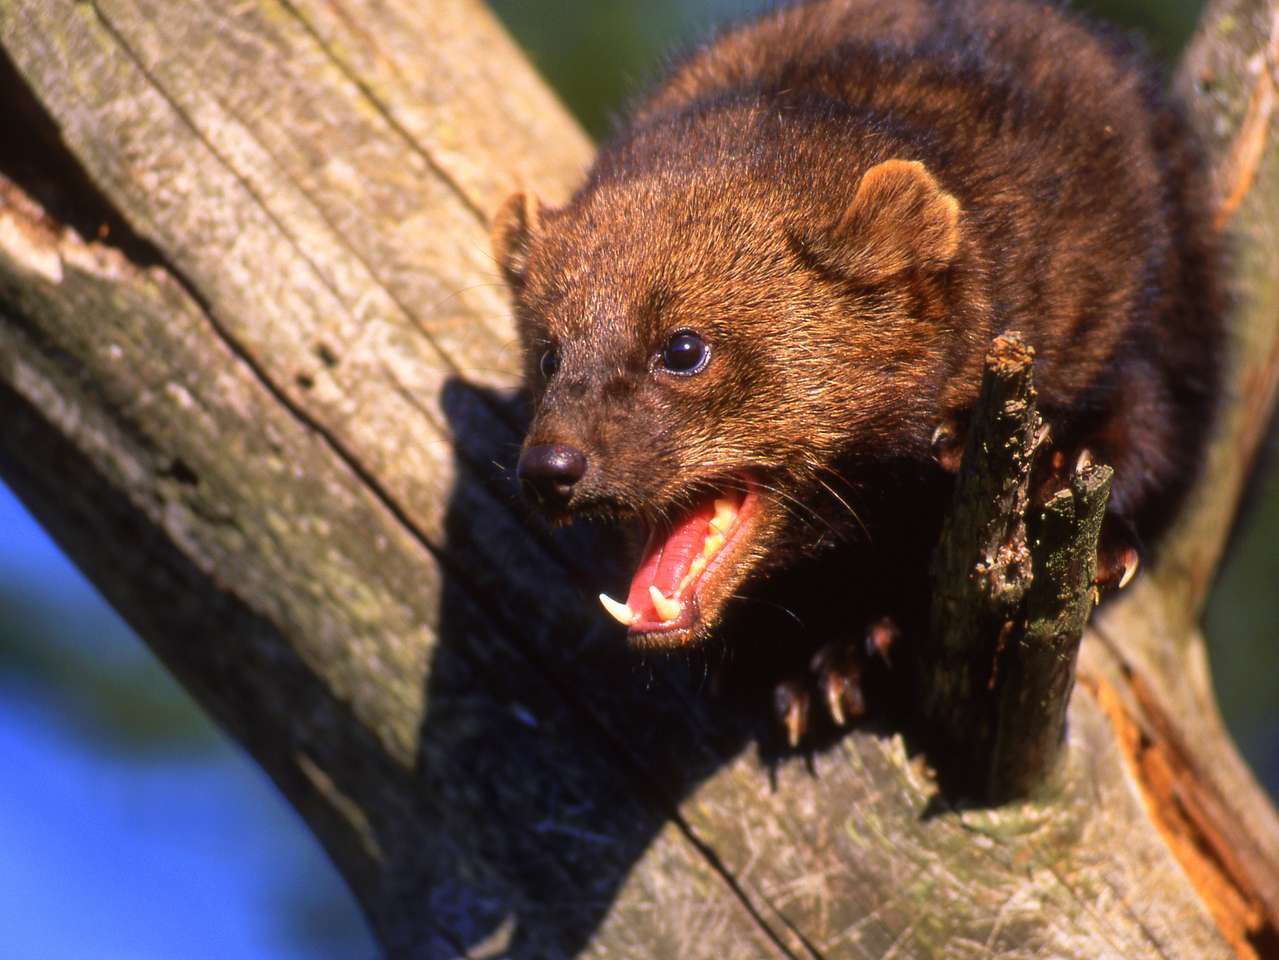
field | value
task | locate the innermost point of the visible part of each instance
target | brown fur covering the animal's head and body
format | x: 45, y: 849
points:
x: 847, y: 201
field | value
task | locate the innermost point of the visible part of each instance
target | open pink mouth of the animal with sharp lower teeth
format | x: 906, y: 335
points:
x: 682, y: 564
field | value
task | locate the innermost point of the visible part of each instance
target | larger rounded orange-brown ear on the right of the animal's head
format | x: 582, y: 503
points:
x: 900, y: 219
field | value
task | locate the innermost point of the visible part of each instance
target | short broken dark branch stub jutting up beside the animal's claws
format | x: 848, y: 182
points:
x: 1012, y: 591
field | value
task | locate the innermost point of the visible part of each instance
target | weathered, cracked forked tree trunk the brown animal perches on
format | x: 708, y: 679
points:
x: 254, y: 360
